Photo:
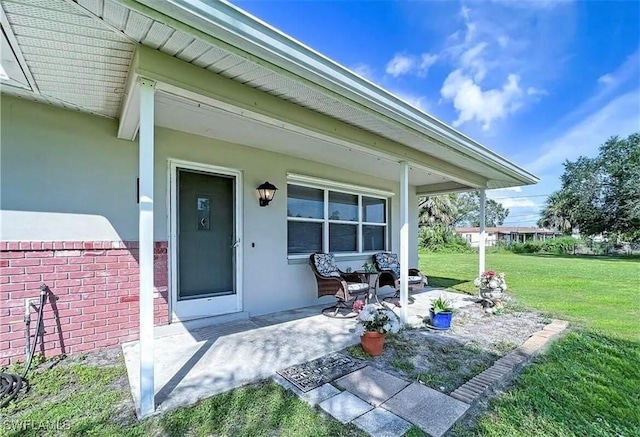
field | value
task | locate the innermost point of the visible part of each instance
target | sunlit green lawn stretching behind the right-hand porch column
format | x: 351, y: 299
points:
x: 596, y: 292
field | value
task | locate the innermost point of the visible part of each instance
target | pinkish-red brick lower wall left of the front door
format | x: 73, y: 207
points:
x: 94, y: 294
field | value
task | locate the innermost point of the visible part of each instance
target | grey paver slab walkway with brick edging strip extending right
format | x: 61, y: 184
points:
x: 384, y: 405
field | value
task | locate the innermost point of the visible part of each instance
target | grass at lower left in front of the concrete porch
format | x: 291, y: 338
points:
x: 81, y: 399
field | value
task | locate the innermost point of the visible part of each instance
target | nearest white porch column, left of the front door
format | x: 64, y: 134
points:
x: 145, y: 213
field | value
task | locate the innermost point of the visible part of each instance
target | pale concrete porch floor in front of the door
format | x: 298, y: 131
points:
x: 203, y: 362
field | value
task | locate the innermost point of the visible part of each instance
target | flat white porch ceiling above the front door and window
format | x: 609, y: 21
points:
x: 192, y: 117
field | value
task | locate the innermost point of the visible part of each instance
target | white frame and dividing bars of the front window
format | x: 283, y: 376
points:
x: 326, y: 186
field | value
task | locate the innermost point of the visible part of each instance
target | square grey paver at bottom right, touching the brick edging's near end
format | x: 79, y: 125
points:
x: 428, y: 409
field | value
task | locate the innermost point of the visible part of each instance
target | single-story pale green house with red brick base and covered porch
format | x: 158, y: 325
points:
x: 134, y: 136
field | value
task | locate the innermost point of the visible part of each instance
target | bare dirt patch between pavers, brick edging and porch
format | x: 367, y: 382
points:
x: 444, y: 360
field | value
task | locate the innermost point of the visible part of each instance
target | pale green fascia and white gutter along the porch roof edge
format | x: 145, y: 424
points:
x: 249, y: 37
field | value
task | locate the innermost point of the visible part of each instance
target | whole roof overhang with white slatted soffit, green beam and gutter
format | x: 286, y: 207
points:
x: 79, y: 55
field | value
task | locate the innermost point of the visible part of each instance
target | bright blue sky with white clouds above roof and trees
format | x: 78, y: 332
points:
x: 537, y: 81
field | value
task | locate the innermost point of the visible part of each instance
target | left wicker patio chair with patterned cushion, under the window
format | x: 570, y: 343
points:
x: 346, y: 287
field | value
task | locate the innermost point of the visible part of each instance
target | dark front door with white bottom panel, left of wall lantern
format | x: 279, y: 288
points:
x: 206, y: 245
